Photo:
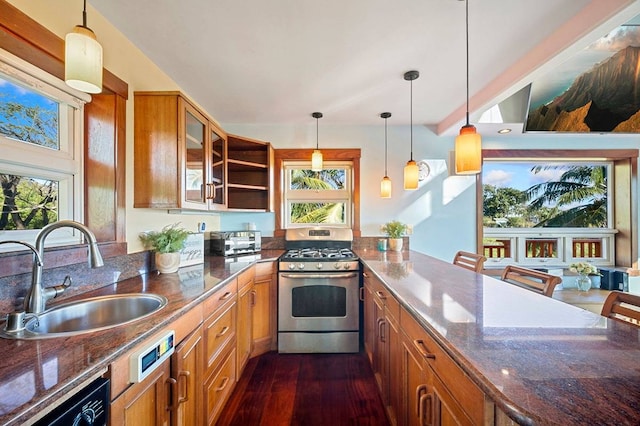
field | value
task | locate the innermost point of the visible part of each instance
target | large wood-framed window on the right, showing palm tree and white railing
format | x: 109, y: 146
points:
x: 570, y: 205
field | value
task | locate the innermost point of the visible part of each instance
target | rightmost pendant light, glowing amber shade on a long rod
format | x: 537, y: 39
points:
x: 468, y: 145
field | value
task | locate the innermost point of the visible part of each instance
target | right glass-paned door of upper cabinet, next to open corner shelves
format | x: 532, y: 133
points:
x: 216, y: 180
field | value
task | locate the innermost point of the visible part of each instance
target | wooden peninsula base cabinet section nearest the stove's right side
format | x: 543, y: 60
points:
x: 382, y: 320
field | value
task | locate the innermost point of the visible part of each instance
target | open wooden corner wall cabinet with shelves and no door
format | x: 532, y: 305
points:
x: 250, y: 174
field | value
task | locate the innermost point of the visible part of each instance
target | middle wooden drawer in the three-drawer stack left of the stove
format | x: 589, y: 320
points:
x: 219, y: 331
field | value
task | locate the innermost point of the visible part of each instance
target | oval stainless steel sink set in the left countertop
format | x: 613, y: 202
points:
x: 88, y: 315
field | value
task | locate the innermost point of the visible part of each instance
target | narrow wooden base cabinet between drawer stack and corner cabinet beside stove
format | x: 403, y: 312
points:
x: 246, y: 297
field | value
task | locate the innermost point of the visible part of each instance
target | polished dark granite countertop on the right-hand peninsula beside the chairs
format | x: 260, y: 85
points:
x: 540, y: 360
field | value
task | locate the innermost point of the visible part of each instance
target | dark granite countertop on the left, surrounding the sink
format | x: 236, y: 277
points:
x: 37, y: 374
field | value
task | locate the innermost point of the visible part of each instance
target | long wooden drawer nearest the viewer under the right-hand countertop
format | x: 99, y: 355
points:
x: 454, y: 379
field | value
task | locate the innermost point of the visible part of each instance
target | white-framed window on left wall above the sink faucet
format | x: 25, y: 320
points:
x: 41, y: 163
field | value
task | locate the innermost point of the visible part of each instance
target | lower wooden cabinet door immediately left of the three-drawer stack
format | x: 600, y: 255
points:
x: 187, y: 364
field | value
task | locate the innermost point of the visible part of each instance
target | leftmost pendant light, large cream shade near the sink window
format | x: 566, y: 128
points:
x: 83, y: 58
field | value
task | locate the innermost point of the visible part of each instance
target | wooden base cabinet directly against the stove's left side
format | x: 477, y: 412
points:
x: 264, y: 308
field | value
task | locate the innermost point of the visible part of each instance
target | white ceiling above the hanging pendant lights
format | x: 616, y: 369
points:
x: 277, y: 61
